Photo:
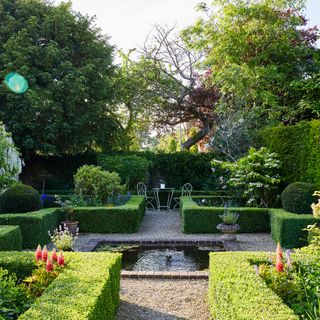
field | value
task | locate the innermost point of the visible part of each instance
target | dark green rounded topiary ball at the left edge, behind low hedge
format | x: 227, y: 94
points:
x: 20, y: 198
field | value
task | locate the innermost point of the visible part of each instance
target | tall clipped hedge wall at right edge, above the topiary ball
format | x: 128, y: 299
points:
x: 298, y: 147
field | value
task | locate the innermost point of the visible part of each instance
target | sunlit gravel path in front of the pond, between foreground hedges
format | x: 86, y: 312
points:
x: 163, y: 300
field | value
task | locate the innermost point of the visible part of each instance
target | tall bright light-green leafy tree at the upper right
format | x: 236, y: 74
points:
x: 261, y: 56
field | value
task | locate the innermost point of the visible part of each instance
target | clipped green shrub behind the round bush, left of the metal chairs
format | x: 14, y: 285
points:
x: 131, y: 168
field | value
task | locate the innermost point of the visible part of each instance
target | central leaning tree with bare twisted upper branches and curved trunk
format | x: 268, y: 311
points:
x: 168, y: 85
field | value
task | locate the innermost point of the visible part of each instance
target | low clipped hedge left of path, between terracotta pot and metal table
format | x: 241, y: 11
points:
x: 122, y: 219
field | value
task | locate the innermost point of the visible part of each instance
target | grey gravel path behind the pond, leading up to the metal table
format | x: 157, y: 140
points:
x: 166, y: 225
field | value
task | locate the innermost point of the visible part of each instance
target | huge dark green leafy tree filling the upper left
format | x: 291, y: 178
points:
x: 68, y: 64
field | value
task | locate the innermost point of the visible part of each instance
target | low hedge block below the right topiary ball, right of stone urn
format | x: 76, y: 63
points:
x: 287, y: 228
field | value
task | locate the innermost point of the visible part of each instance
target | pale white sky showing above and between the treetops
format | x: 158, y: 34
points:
x: 128, y: 22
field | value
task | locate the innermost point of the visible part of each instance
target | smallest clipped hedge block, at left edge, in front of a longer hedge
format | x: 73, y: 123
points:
x: 10, y: 238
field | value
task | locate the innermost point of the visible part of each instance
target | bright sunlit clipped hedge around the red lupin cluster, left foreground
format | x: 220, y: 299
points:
x: 87, y: 289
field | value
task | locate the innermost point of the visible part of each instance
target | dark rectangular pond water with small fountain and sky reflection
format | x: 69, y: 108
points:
x: 139, y: 258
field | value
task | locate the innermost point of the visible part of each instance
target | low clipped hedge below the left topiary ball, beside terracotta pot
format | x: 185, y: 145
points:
x: 34, y: 225
